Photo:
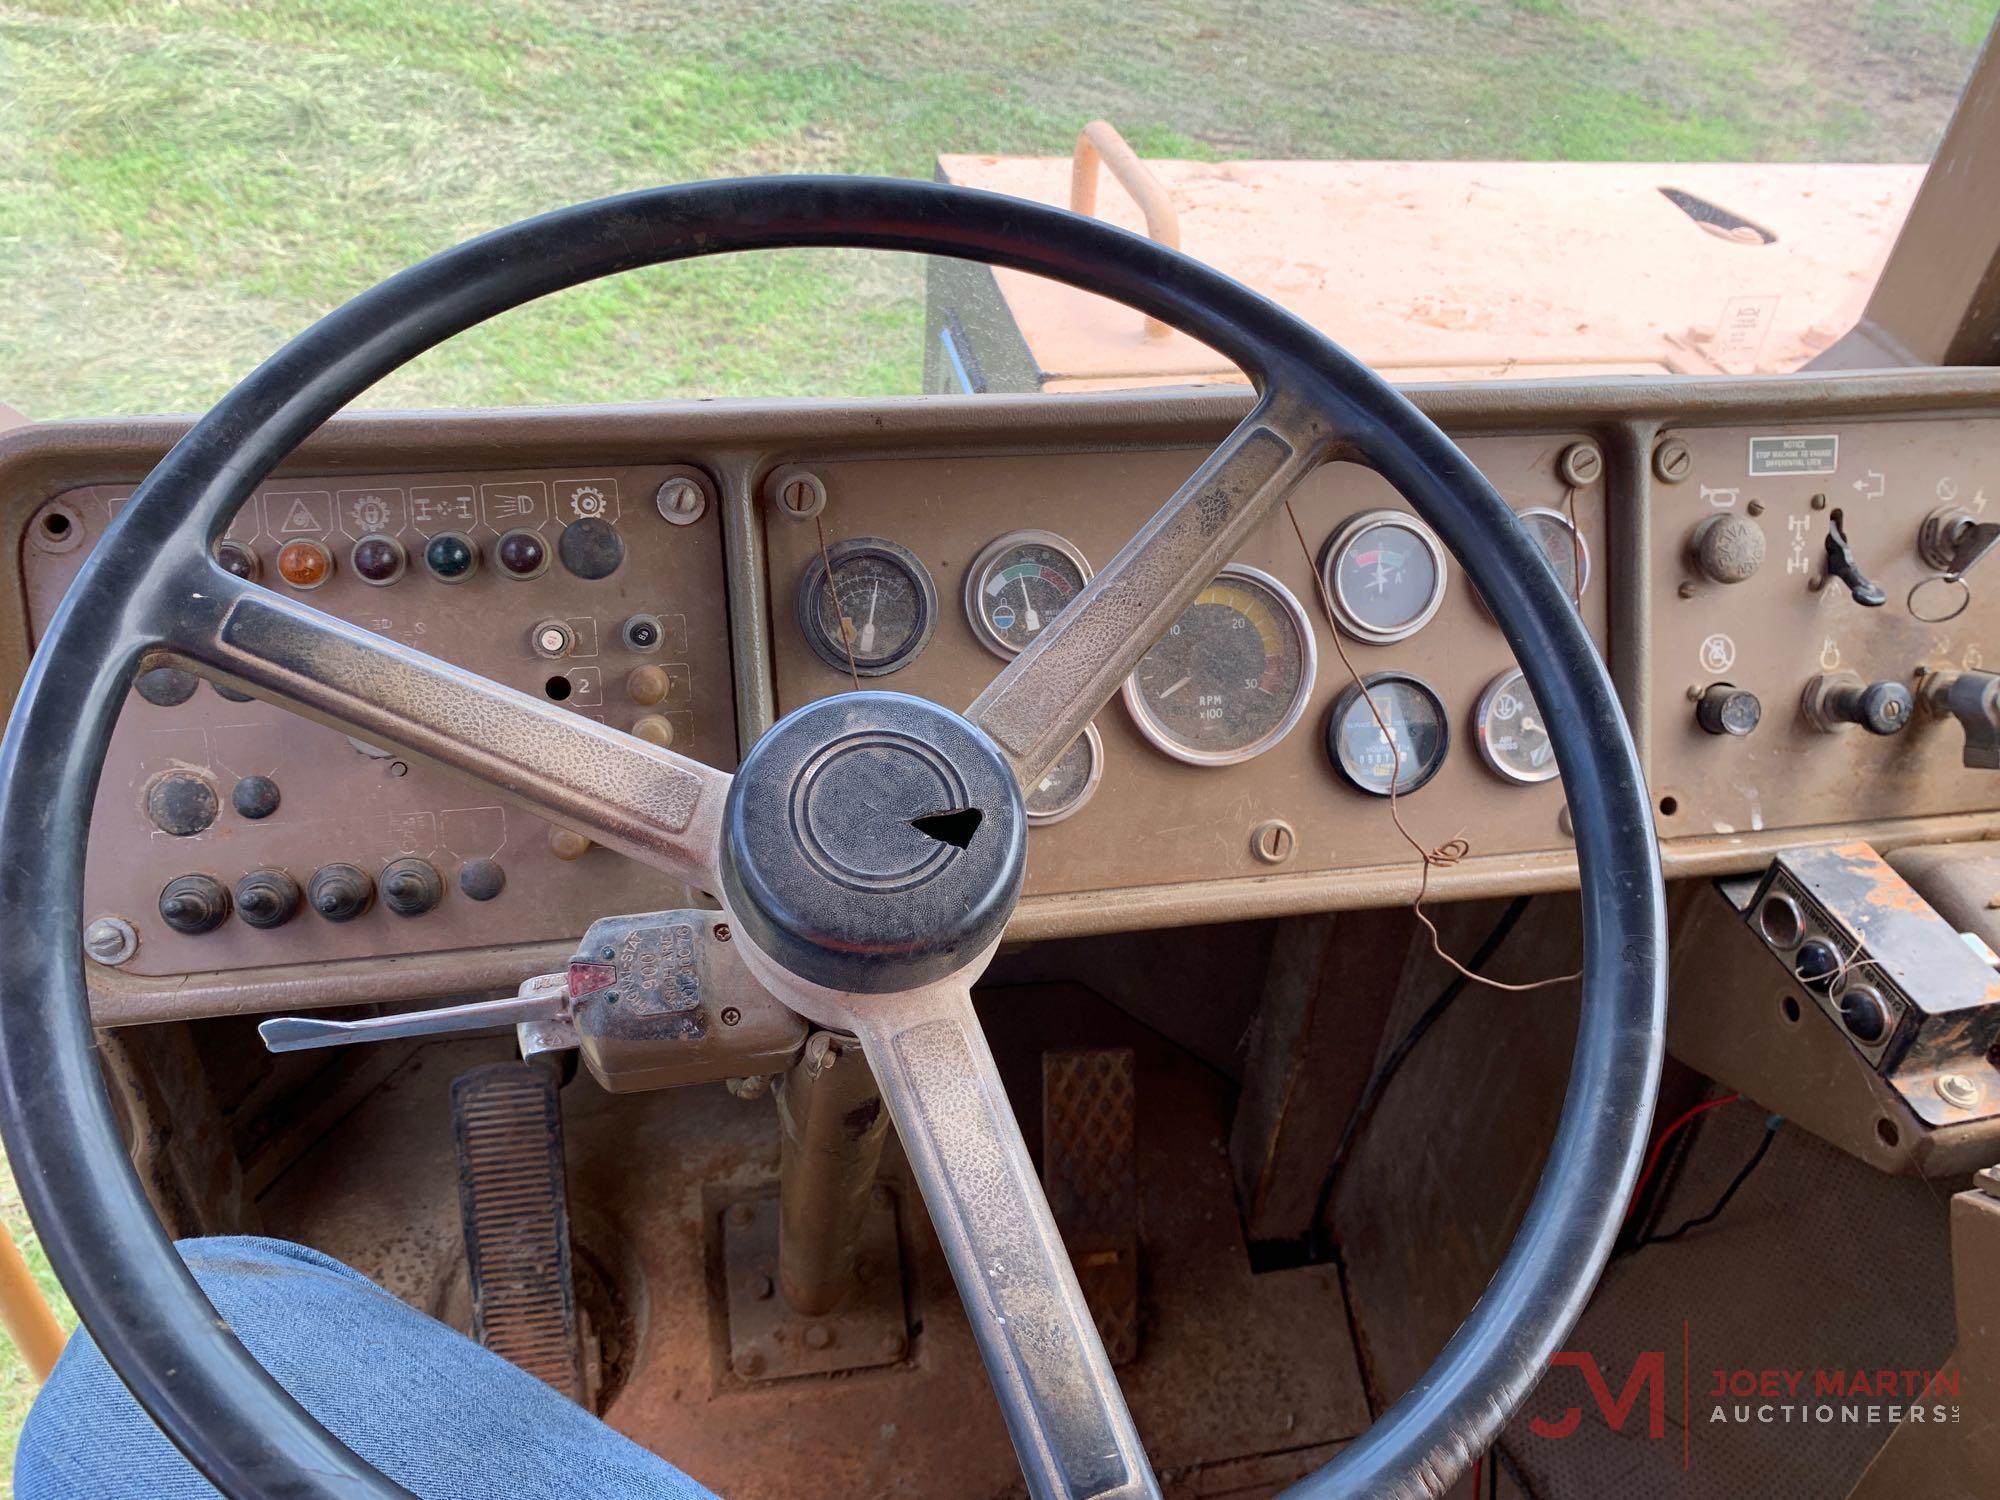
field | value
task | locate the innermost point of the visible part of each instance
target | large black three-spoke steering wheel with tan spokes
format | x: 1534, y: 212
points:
x: 867, y: 921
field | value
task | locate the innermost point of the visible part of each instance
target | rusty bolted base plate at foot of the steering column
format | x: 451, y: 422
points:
x: 769, y: 1337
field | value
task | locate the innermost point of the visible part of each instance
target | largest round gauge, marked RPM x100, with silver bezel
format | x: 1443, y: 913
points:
x: 1233, y: 677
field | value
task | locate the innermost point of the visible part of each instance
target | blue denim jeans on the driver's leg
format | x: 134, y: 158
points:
x: 419, y: 1401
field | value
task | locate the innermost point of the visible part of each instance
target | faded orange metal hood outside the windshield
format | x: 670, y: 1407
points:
x: 1487, y: 269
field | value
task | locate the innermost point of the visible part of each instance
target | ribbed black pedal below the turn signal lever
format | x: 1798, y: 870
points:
x: 517, y: 1221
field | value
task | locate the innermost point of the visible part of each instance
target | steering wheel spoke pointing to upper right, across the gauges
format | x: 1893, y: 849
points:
x: 1047, y: 695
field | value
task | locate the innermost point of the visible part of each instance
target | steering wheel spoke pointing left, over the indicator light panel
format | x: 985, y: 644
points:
x: 649, y: 803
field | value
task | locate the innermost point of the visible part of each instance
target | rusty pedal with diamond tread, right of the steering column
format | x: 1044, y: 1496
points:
x: 1091, y: 1175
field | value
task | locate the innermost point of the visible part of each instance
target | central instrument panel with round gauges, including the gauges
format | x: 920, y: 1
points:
x: 1265, y: 733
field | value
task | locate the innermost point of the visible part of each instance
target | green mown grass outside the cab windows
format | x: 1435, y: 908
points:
x: 189, y: 183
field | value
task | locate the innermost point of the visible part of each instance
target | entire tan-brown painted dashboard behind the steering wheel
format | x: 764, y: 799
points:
x: 1159, y: 841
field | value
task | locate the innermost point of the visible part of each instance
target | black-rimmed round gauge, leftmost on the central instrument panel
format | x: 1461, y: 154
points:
x: 881, y: 607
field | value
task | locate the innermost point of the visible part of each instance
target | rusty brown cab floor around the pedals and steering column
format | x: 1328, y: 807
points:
x: 1243, y: 1377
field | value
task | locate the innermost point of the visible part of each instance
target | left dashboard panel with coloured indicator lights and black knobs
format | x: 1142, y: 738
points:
x: 233, y: 835
